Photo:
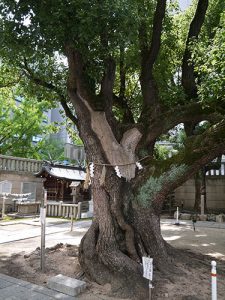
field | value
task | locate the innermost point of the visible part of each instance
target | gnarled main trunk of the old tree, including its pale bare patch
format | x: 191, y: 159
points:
x: 122, y: 232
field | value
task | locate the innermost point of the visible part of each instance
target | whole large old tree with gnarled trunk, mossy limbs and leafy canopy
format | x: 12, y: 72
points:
x: 135, y: 70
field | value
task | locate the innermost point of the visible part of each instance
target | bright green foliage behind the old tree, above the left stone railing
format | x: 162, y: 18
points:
x: 23, y: 123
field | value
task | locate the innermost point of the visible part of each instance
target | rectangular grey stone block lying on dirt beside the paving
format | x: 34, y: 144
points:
x: 66, y: 285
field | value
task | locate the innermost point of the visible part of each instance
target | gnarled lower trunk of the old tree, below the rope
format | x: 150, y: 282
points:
x: 120, y: 235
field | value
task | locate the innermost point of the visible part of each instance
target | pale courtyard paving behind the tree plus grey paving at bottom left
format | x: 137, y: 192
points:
x: 208, y: 239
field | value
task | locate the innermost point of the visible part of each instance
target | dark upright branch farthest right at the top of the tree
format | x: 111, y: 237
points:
x: 188, y: 75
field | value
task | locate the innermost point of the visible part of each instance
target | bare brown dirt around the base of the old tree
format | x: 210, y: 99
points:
x: 189, y: 279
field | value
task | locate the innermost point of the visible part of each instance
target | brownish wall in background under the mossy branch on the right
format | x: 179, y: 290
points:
x: 215, y: 193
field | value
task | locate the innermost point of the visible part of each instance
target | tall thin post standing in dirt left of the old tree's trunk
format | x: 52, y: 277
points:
x: 43, y: 225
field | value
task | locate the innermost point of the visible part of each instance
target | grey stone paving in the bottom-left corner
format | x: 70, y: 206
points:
x: 16, y: 289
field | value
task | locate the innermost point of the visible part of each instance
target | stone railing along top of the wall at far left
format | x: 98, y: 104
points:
x: 10, y: 163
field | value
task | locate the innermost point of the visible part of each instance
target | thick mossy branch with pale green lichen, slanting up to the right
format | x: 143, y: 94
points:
x: 173, y: 172
